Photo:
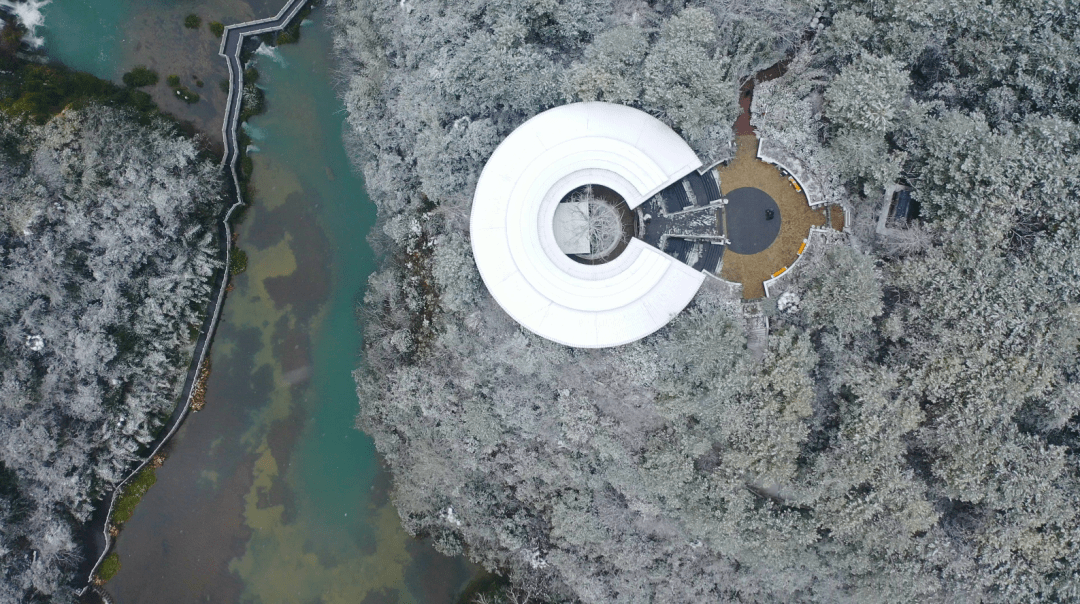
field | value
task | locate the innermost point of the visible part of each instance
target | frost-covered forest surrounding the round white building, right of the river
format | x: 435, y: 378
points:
x: 912, y: 434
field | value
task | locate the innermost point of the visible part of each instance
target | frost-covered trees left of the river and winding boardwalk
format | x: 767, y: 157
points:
x: 106, y: 251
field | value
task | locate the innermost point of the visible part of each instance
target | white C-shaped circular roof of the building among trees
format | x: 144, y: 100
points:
x: 514, y: 241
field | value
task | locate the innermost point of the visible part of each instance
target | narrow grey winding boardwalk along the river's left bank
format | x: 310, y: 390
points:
x: 233, y: 43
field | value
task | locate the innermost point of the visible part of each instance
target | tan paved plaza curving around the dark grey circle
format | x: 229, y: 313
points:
x: 798, y: 218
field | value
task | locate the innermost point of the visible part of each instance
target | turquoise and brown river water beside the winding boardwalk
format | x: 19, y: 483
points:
x: 269, y: 494
